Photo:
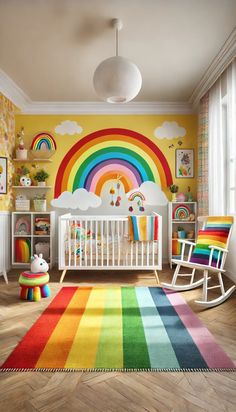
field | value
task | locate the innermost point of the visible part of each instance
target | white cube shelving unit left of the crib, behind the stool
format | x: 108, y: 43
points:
x: 33, y: 238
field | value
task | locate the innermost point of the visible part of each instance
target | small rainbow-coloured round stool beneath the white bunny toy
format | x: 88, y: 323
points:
x: 34, y: 286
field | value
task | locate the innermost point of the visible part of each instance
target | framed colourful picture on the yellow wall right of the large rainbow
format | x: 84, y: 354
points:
x: 184, y: 163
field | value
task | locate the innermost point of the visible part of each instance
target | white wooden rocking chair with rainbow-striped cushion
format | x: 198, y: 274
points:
x: 208, y: 255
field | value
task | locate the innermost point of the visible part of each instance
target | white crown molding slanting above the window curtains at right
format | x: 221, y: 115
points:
x: 225, y: 56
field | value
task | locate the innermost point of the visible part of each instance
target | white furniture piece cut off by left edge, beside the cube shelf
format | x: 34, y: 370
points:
x: 4, y: 243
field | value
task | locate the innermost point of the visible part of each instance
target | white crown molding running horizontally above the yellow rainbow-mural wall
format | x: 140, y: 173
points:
x: 107, y: 108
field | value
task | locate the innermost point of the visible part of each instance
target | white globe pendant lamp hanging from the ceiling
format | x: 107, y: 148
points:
x: 117, y: 80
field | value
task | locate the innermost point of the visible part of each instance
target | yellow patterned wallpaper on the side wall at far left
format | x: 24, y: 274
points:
x: 7, y: 145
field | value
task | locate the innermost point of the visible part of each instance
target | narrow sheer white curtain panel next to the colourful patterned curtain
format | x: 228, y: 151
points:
x: 216, y: 153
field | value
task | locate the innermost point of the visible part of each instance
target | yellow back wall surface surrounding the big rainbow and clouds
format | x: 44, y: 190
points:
x: 144, y: 124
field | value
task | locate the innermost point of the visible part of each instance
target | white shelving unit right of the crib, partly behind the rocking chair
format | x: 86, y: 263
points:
x: 174, y: 223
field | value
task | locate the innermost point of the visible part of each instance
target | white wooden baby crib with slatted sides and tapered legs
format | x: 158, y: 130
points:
x: 102, y: 243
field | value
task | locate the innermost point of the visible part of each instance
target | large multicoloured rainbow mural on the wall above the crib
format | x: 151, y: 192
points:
x: 106, y: 153
